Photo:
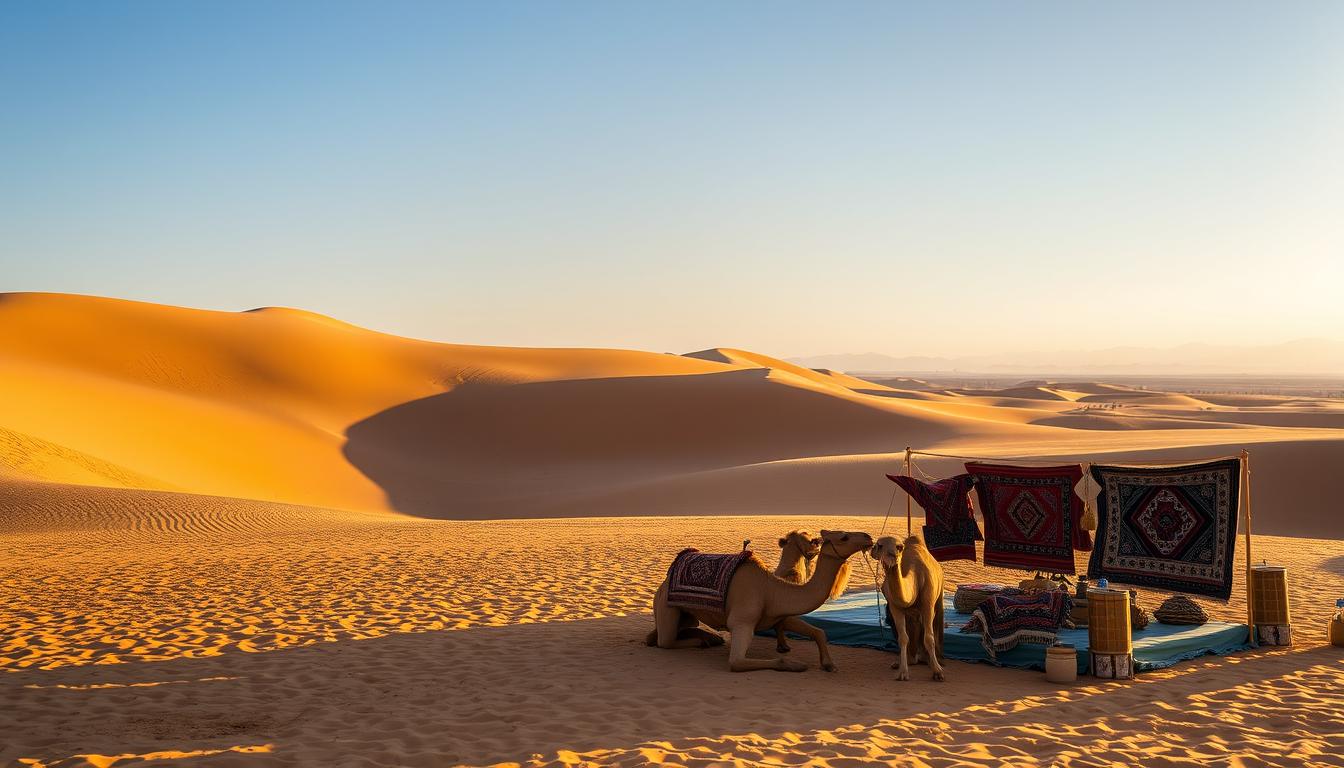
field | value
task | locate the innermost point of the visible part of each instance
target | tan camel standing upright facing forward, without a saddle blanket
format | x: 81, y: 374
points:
x: 913, y: 588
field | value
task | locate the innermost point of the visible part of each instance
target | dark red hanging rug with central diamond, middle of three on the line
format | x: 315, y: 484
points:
x: 1033, y: 516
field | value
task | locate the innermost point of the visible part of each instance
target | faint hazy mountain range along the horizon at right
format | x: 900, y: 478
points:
x: 1303, y: 357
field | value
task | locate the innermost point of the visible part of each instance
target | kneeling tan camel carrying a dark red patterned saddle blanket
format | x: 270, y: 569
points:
x: 761, y: 601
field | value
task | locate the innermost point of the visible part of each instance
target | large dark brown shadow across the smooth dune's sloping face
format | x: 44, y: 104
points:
x: 485, y: 450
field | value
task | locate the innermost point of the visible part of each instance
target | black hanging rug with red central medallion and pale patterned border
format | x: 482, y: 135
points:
x: 1170, y: 528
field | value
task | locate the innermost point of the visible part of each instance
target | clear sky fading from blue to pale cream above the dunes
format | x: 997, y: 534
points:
x: 791, y: 178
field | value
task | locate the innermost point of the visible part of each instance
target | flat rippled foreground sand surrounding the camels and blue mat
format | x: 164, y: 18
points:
x: 221, y: 633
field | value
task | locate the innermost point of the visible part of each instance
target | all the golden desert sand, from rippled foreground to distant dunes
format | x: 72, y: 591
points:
x: 271, y: 539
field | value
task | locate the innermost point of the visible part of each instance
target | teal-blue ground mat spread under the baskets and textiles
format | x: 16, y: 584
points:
x: 853, y: 621
